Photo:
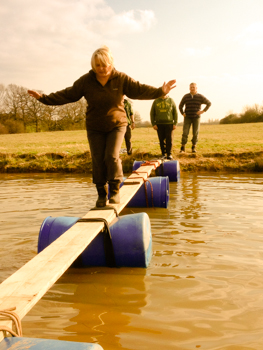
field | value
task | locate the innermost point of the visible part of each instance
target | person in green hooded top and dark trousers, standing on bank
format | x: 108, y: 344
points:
x: 164, y: 119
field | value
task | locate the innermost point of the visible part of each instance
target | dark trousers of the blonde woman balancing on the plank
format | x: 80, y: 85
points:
x: 105, y: 148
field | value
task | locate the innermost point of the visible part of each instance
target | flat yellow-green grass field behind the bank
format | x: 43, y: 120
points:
x: 212, y: 139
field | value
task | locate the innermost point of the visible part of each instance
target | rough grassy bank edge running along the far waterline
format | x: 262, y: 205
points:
x: 246, y: 162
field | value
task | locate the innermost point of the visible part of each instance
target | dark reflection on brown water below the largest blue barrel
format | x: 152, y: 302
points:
x: 114, y: 300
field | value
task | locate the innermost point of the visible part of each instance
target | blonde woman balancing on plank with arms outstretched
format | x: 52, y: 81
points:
x: 103, y: 87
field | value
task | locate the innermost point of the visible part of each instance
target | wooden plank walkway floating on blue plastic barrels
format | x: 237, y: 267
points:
x: 100, y: 238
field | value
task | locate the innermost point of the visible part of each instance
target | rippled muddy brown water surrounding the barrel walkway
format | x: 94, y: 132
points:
x: 202, y: 290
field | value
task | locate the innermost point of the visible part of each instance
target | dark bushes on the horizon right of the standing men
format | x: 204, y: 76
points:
x: 251, y: 114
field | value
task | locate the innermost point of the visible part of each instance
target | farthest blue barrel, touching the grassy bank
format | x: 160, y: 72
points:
x: 169, y: 168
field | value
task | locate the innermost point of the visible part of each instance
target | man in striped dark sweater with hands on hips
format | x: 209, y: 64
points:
x: 192, y: 113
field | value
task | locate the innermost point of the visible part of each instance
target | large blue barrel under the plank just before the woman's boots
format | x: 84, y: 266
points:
x: 131, y: 240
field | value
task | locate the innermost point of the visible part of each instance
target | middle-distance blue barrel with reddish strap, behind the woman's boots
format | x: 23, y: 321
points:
x: 157, y: 194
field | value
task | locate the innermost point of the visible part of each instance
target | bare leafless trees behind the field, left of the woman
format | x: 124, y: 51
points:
x: 21, y: 113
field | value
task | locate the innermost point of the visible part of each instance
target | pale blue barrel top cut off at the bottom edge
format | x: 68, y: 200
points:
x: 20, y: 343
